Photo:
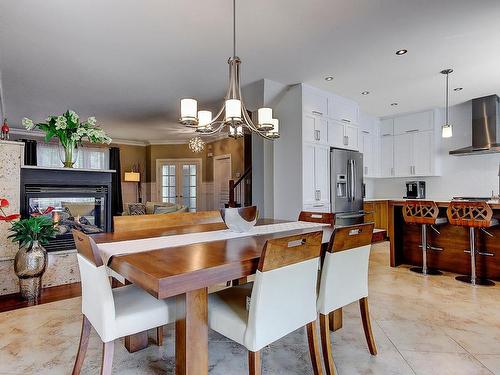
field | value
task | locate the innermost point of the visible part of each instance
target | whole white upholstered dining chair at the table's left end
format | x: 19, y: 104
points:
x: 113, y: 313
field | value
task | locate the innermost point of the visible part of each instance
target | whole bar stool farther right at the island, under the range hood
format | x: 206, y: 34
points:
x: 473, y: 215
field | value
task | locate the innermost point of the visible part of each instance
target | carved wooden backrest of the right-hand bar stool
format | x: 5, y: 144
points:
x: 469, y: 214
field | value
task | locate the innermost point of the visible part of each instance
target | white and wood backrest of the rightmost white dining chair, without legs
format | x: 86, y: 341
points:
x: 344, y: 275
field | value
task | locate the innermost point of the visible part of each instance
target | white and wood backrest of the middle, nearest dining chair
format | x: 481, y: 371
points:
x: 284, y: 291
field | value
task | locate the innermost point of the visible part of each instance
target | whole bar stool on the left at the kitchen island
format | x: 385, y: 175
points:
x: 424, y: 213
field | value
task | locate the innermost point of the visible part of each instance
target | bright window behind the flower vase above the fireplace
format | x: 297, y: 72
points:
x: 88, y: 157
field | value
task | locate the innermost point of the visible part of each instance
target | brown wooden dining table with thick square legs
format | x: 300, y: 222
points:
x: 186, y: 272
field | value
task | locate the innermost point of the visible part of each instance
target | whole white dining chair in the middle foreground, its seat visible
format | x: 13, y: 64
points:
x: 280, y: 300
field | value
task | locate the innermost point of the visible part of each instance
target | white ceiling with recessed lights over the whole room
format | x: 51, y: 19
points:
x: 128, y: 62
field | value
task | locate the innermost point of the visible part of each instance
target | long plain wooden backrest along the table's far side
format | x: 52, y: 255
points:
x: 129, y: 223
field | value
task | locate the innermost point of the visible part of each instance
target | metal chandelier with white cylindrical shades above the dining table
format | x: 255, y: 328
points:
x: 233, y: 115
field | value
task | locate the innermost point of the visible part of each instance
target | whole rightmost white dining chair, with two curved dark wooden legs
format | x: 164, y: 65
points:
x: 344, y: 279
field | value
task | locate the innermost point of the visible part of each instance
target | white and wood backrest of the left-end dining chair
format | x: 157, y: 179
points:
x: 97, y: 297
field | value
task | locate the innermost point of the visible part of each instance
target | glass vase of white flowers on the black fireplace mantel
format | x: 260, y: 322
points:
x: 71, y: 132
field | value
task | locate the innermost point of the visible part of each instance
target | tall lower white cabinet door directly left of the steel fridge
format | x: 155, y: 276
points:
x: 316, y: 177
